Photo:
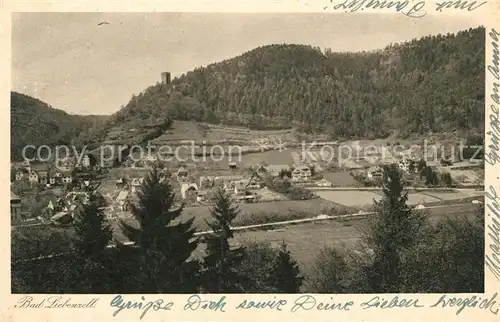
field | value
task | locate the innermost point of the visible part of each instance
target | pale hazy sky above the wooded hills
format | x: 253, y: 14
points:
x: 68, y: 61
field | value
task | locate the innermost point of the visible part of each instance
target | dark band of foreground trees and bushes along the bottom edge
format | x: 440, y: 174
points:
x: 400, y: 251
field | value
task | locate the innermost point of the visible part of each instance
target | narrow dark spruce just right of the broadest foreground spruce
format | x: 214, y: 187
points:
x: 221, y: 273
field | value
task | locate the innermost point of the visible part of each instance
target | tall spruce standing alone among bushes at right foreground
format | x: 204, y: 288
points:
x: 395, y: 228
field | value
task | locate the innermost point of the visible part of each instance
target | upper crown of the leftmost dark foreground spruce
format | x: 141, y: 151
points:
x: 93, y: 234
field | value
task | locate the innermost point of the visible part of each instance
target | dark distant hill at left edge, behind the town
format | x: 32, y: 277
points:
x: 34, y: 122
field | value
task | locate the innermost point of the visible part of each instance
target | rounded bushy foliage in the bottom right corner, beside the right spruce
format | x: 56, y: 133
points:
x: 449, y: 260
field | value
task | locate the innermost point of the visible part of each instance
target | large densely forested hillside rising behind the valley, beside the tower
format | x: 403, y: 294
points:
x: 433, y: 84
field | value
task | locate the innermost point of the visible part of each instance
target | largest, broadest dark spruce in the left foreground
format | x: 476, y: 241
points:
x: 165, y: 243
